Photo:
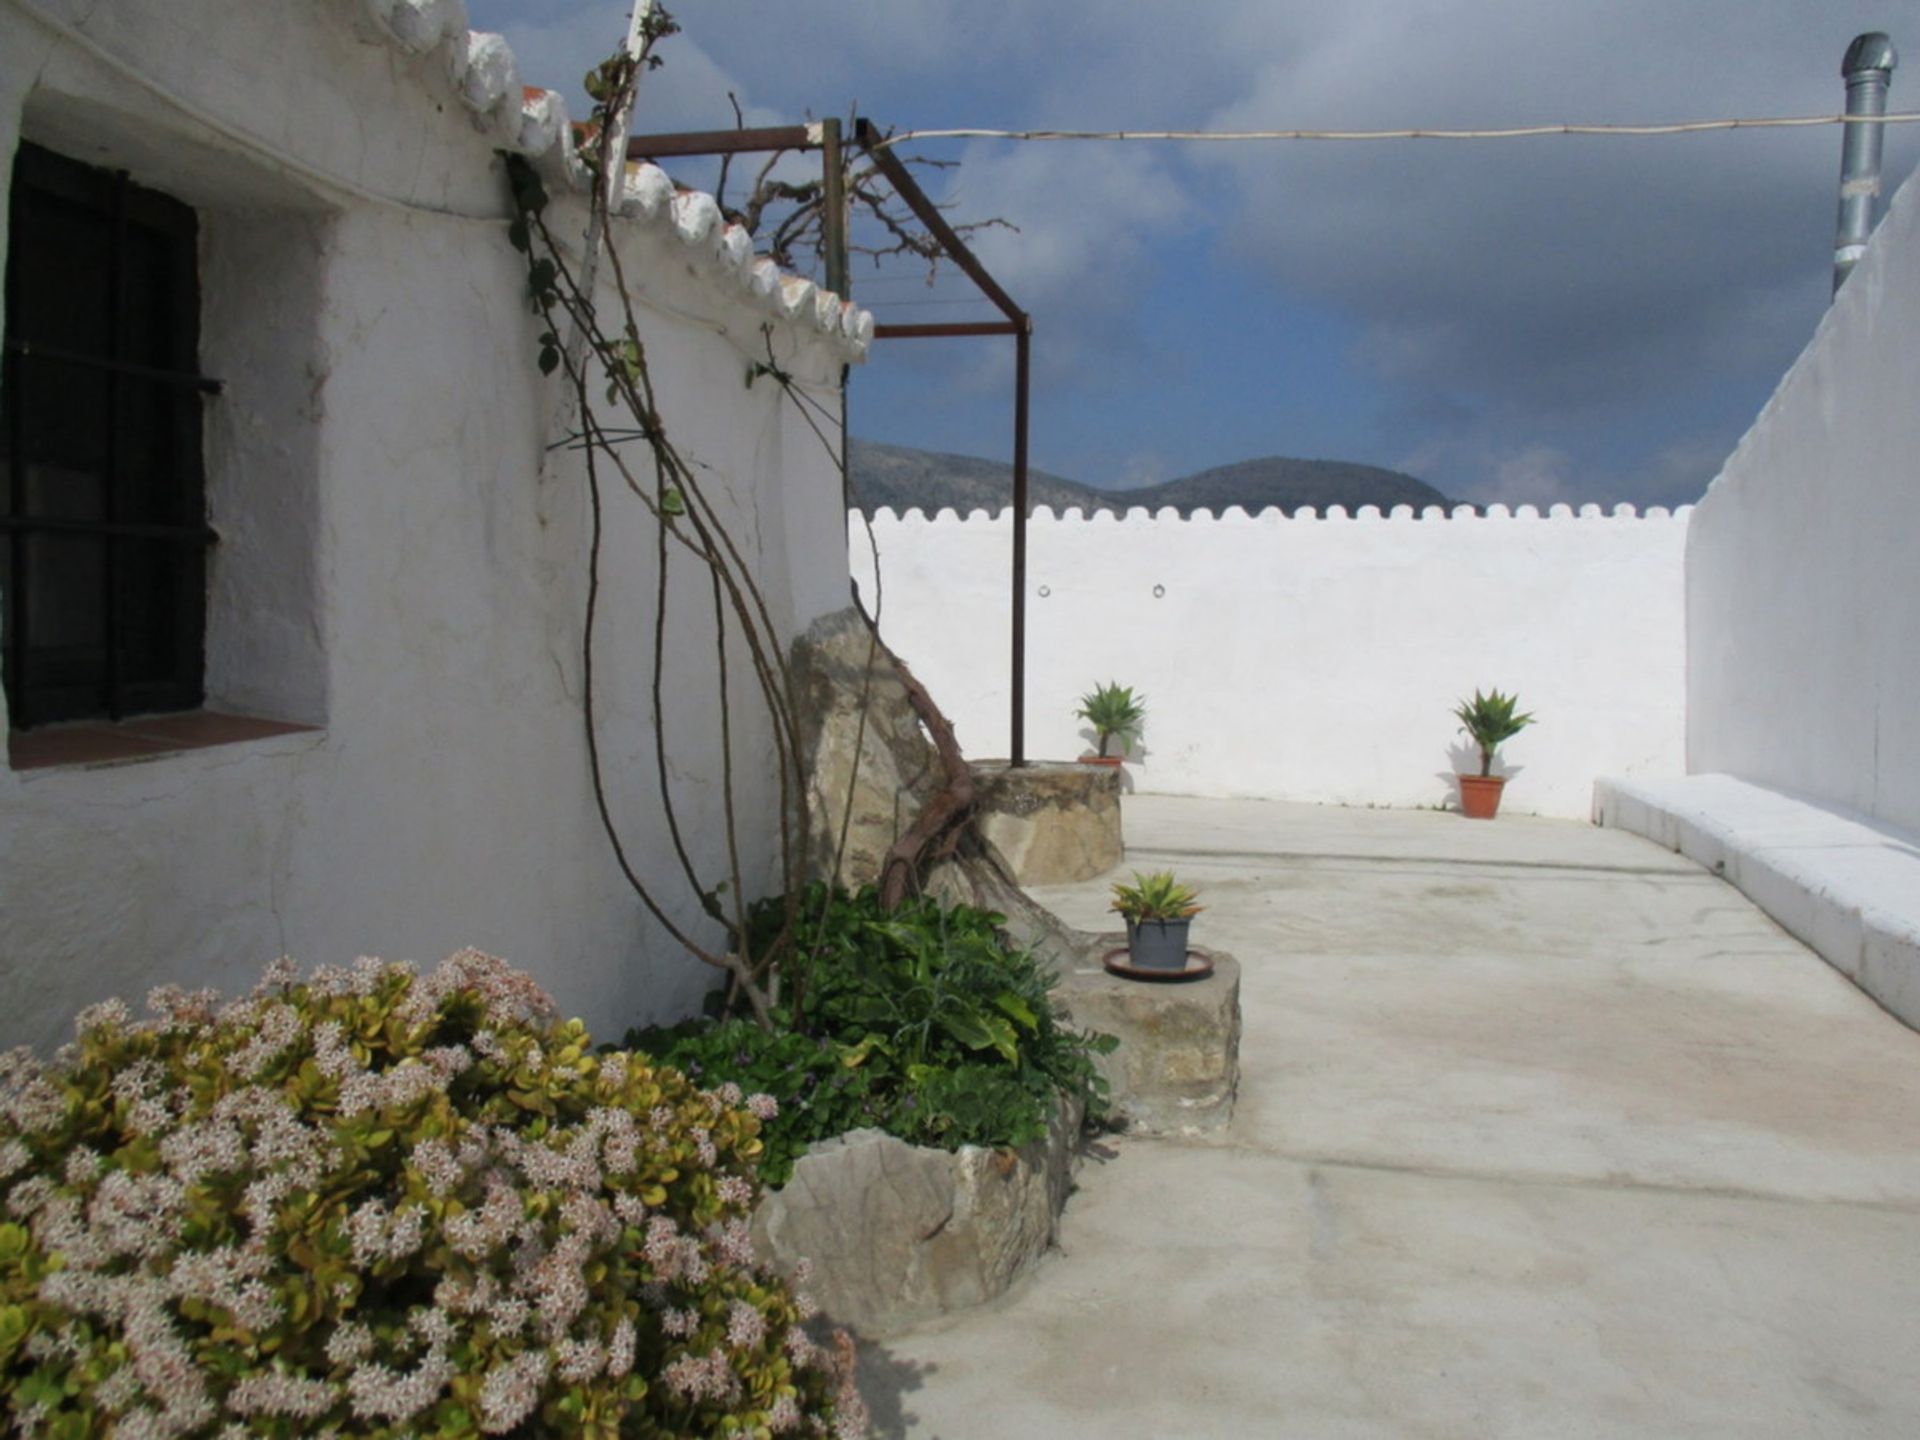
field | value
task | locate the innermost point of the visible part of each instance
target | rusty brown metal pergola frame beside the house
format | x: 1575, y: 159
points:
x: 830, y: 139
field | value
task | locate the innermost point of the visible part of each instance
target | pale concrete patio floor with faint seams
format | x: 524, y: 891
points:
x: 1543, y: 1132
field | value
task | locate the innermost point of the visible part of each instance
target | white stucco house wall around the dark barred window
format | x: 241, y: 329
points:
x: 402, y: 560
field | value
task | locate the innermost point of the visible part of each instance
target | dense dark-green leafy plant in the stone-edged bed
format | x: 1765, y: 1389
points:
x: 919, y: 1022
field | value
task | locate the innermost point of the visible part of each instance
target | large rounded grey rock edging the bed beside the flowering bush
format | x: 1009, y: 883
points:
x: 900, y: 1234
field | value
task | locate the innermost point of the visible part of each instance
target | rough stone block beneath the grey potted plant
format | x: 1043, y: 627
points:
x: 1178, y: 1063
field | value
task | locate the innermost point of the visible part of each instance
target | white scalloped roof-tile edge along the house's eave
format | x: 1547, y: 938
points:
x: 531, y: 122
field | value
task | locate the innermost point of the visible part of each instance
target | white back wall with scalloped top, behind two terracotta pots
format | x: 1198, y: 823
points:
x: 1308, y: 660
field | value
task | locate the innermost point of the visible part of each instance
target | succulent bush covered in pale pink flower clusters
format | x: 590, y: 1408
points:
x: 385, y: 1205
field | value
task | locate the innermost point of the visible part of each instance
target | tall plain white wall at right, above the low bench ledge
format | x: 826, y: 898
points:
x: 1804, y: 588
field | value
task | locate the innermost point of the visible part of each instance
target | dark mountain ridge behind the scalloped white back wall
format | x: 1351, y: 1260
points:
x: 901, y: 479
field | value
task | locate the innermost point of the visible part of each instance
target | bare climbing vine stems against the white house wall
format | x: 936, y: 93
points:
x: 600, y: 352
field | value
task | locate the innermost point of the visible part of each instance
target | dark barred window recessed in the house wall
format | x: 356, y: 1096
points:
x: 103, y: 506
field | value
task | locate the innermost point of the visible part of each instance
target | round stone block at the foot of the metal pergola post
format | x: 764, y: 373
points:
x: 1051, y: 823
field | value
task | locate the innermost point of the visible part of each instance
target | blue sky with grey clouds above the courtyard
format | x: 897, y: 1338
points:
x: 1570, y: 320
